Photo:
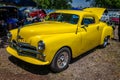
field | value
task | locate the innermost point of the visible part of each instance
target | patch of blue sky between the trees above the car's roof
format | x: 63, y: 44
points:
x: 79, y: 3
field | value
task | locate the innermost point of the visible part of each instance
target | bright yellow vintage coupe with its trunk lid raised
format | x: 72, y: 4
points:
x: 65, y: 34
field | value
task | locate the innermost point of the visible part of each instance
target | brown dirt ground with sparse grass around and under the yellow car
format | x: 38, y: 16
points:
x: 97, y: 64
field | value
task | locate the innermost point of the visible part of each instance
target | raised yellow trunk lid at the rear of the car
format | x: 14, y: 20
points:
x: 98, y: 11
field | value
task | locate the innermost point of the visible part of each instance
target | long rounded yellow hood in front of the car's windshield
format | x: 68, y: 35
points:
x: 45, y: 28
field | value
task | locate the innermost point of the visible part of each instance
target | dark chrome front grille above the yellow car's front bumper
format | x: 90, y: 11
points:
x: 25, y: 49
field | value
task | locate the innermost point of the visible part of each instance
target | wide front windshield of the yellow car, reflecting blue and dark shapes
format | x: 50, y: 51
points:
x: 63, y: 17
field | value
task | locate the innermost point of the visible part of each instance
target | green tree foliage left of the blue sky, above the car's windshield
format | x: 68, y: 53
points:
x: 54, y: 4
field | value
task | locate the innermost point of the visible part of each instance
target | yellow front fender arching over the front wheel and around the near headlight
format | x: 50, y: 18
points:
x: 55, y: 42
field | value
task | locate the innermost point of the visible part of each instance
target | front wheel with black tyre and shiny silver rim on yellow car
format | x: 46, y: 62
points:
x: 61, y: 60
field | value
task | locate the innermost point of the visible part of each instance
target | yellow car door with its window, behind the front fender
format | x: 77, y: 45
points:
x: 91, y: 32
